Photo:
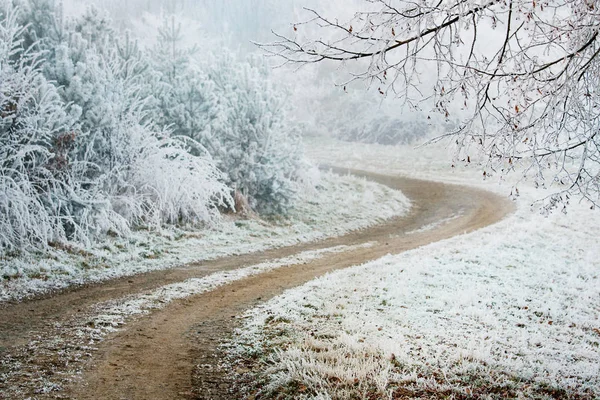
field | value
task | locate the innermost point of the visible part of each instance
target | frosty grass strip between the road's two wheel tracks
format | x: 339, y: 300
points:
x: 50, y: 361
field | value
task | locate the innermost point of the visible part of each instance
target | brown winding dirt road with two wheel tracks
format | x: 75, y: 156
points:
x: 173, y: 352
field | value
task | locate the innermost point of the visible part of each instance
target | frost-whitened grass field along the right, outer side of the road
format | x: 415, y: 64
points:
x: 512, y: 310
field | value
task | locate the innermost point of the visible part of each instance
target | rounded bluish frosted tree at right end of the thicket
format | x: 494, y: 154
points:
x: 253, y: 140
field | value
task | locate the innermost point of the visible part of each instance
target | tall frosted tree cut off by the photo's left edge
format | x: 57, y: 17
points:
x: 34, y: 133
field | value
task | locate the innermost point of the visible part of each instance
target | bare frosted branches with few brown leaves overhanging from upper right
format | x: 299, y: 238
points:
x: 525, y: 72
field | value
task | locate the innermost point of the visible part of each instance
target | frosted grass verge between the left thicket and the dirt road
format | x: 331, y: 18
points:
x: 338, y: 205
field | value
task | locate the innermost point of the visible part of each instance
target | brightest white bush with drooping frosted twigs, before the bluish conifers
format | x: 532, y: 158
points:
x: 173, y: 186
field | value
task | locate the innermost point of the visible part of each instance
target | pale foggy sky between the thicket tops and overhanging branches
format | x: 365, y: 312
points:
x: 316, y: 95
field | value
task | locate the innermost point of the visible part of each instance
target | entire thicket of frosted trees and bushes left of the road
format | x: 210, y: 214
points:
x: 99, y: 135
